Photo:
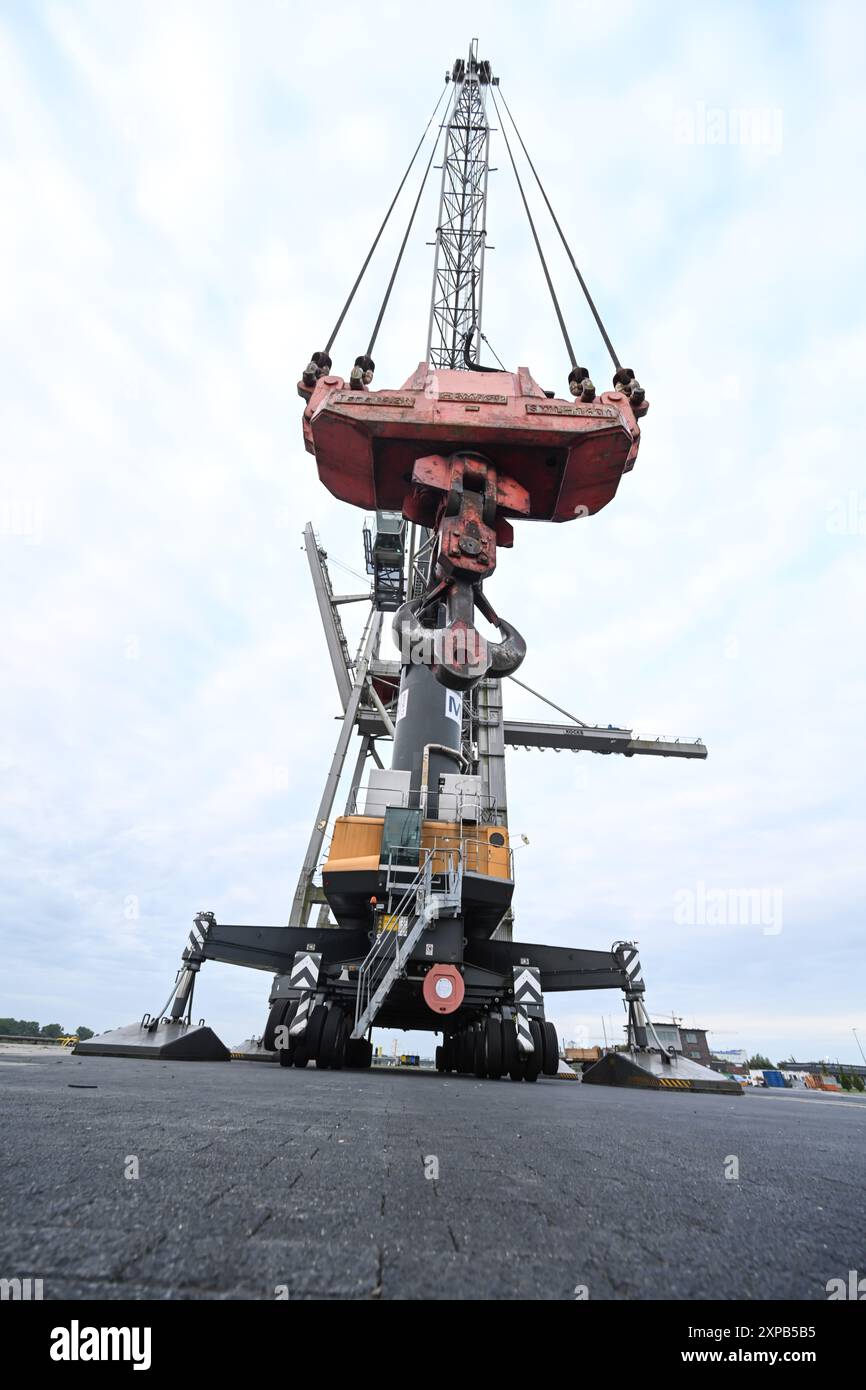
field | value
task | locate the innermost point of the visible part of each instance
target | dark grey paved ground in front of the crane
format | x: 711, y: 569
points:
x: 252, y: 1178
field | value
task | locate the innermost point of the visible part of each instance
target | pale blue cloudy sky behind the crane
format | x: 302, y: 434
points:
x: 187, y: 193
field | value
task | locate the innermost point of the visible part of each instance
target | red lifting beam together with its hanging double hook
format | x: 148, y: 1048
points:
x: 464, y: 454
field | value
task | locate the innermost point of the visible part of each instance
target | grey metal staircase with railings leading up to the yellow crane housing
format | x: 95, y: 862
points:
x: 420, y: 906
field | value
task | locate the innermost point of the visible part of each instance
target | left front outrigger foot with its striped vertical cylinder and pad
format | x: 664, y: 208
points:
x: 169, y: 1035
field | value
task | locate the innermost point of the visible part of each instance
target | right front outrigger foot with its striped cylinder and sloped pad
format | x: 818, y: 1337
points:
x: 646, y: 1064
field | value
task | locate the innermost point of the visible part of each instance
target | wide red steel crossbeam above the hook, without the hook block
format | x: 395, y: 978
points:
x: 561, y: 458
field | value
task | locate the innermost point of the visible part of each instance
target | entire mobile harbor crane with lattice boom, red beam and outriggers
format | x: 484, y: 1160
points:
x: 411, y: 925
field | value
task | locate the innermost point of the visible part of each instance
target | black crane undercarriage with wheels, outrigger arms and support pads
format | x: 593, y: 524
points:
x: 498, y: 1029
